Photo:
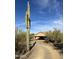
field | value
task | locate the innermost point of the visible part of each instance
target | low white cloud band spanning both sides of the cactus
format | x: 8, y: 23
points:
x: 36, y: 26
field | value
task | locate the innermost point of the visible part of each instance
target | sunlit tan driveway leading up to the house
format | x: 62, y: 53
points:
x: 43, y: 50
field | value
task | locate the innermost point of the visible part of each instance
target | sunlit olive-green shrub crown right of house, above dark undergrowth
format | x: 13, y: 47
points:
x: 55, y: 36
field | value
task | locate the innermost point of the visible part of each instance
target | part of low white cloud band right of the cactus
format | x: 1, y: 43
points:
x: 50, y: 25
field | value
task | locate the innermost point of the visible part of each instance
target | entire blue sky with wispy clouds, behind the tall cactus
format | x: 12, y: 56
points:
x: 45, y: 15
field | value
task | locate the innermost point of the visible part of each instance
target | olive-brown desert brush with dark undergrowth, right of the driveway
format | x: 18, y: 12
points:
x: 56, y: 37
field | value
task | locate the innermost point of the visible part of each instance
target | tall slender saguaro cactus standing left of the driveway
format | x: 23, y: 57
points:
x: 28, y: 26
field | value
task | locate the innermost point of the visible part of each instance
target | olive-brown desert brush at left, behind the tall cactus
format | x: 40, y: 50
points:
x: 20, y: 41
